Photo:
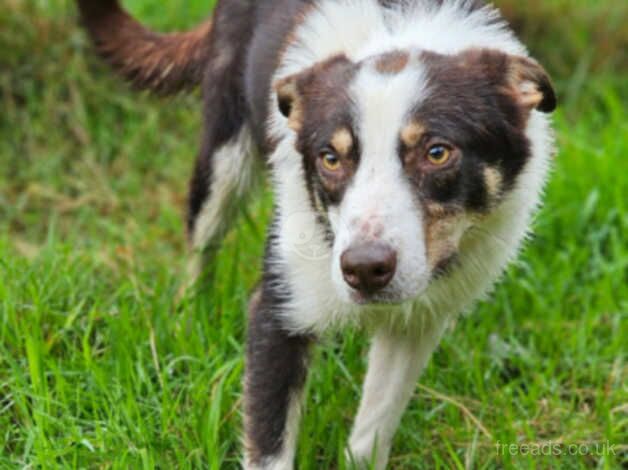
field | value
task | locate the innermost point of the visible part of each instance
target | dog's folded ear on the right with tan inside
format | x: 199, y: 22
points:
x: 531, y: 84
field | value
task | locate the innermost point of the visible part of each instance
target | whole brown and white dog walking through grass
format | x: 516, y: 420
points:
x: 408, y: 145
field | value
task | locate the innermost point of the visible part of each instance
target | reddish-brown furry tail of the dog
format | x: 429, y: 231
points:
x: 162, y: 63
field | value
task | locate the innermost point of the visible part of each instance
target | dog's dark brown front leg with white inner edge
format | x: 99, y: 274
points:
x: 274, y: 380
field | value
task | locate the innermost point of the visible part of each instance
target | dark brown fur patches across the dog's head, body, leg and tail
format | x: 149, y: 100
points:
x: 478, y: 101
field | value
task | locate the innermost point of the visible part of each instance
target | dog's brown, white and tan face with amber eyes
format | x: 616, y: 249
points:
x: 404, y: 152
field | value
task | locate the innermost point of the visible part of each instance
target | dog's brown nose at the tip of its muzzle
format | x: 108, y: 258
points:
x: 369, y: 267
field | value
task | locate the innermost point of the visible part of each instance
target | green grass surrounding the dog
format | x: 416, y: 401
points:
x: 99, y: 369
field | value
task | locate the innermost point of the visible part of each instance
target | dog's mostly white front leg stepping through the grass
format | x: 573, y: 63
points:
x: 395, y: 363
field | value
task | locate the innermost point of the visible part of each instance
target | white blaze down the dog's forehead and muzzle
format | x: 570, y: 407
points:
x: 379, y: 202
